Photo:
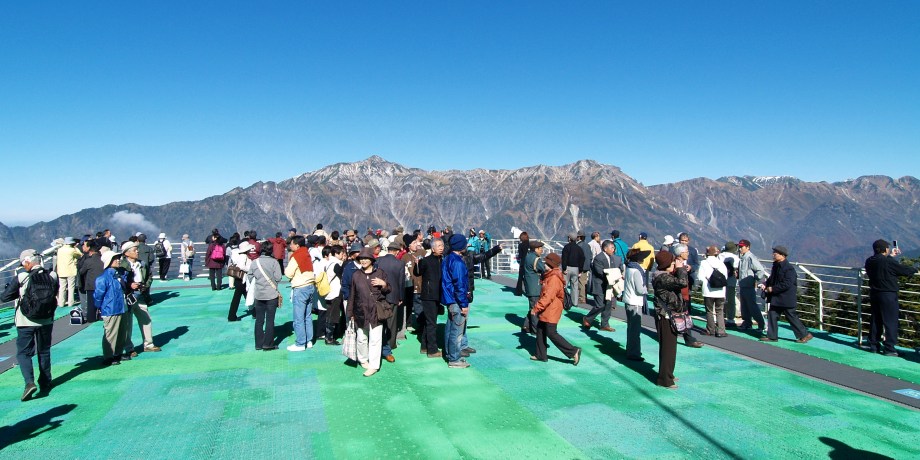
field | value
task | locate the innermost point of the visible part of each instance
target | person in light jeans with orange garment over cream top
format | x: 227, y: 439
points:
x: 303, y: 293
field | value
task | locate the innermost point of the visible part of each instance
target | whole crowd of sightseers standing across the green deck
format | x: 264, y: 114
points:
x: 369, y: 292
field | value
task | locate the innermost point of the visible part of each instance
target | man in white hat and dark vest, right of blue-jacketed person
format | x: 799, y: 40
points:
x: 139, y: 273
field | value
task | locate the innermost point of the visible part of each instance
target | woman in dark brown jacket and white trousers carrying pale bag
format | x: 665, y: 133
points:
x: 368, y: 287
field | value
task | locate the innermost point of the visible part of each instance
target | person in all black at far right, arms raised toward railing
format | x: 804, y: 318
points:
x: 883, y: 271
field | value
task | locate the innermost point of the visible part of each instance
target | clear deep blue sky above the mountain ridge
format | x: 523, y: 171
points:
x: 191, y: 99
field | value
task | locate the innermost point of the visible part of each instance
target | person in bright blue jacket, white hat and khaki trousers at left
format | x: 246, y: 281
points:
x: 110, y: 300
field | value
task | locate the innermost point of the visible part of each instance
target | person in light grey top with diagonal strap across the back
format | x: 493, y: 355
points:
x: 264, y: 278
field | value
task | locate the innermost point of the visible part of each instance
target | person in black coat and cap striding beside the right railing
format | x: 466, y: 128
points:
x: 781, y: 296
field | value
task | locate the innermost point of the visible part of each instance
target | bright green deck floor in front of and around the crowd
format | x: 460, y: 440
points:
x: 209, y: 394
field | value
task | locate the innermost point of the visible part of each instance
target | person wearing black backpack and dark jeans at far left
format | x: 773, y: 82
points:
x: 36, y: 291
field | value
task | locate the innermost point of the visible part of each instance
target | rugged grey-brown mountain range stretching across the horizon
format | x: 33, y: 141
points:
x: 819, y: 222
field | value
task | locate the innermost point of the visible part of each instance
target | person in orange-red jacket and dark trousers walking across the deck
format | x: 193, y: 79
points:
x: 549, y: 310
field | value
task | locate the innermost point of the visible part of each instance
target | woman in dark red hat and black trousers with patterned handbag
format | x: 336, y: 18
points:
x: 667, y: 282
